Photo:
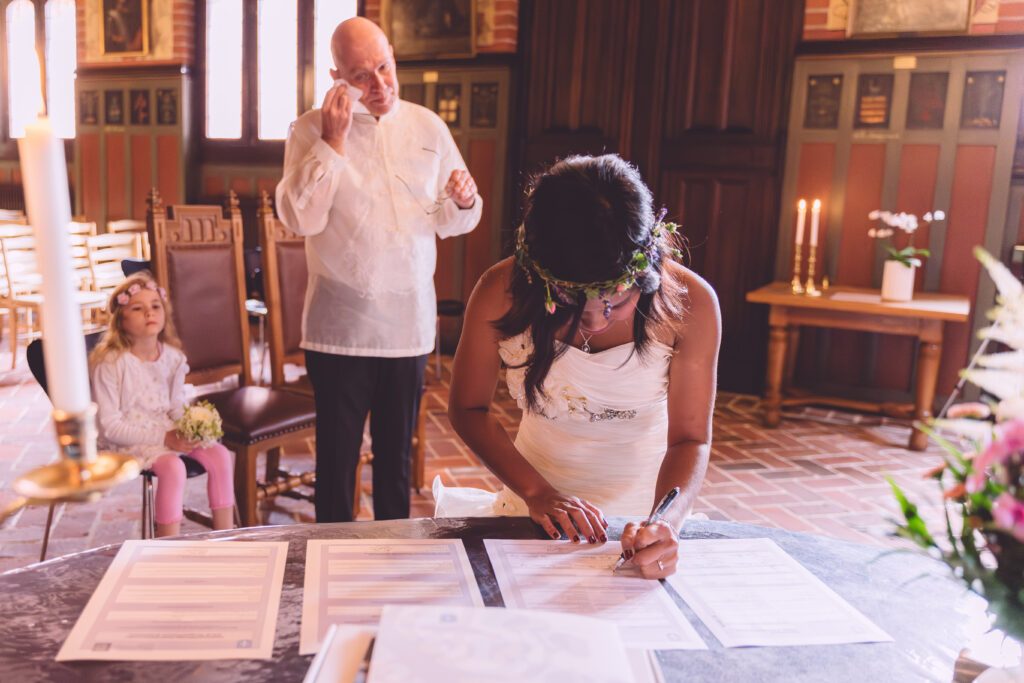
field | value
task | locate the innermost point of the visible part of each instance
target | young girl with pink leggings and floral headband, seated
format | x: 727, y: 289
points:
x: 139, y: 377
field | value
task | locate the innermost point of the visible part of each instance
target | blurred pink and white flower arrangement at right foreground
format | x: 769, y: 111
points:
x: 982, y: 479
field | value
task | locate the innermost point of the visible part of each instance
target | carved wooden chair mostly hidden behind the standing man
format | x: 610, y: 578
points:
x: 285, y: 278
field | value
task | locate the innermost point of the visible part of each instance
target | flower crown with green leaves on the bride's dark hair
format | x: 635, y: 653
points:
x: 566, y: 291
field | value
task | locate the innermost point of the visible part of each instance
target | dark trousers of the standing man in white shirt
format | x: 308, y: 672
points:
x: 346, y: 389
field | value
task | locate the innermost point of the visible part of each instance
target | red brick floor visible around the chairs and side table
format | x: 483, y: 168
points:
x: 822, y: 473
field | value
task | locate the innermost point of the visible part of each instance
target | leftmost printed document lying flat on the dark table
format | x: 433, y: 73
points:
x: 180, y: 601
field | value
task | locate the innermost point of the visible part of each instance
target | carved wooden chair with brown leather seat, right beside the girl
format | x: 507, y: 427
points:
x: 198, y: 258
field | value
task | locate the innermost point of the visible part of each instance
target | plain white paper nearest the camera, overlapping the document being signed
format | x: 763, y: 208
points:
x: 495, y: 646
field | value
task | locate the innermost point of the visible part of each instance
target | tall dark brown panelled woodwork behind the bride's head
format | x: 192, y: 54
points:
x: 694, y: 93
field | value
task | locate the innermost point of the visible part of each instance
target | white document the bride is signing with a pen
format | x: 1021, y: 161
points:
x: 578, y: 580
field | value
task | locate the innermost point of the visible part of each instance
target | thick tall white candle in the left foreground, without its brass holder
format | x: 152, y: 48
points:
x: 45, y: 175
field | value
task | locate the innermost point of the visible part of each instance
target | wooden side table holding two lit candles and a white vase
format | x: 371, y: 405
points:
x: 862, y: 311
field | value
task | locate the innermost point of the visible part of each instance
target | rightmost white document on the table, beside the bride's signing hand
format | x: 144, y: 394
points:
x: 751, y: 592
